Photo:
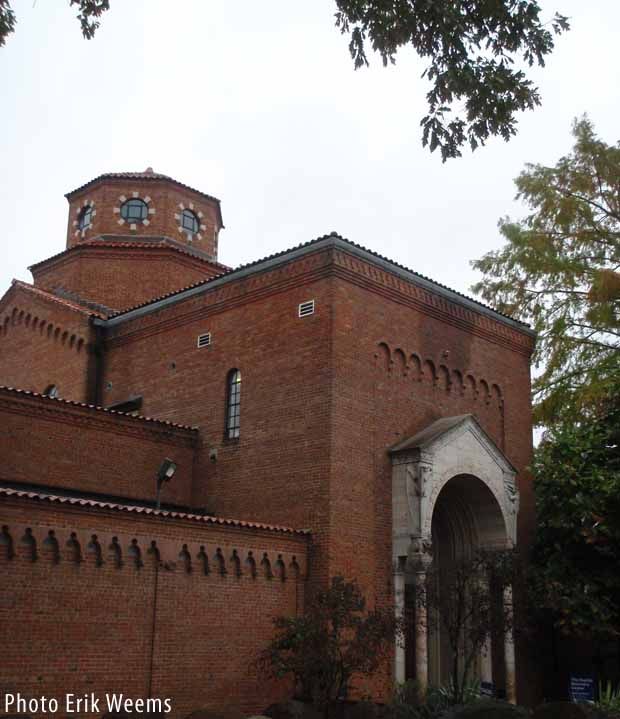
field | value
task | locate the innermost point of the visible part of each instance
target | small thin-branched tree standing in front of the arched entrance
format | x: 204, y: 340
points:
x: 465, y: 601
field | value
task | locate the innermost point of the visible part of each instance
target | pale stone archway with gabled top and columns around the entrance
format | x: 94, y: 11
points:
x: 453, y: 490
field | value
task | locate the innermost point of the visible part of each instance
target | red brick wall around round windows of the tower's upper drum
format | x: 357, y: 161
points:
x: 165, y: 198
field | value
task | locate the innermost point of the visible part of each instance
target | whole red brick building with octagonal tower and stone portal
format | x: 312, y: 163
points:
x: 328, y: 412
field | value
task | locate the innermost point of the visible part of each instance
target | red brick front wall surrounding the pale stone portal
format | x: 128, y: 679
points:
x: 380, y: 344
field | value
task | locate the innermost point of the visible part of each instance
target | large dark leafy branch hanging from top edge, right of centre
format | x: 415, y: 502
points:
x: 472, y: 47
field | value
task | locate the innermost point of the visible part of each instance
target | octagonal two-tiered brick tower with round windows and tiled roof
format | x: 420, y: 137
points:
x: 132, y: 236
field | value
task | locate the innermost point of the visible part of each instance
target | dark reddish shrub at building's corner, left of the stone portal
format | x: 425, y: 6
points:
x: 335, y: 639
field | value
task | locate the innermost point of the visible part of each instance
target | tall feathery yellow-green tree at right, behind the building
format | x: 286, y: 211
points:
x: 560, y: 271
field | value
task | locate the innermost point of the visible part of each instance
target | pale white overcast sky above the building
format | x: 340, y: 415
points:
x: 258, y: 104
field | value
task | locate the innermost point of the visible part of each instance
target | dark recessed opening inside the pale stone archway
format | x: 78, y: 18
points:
x: 466, y: 517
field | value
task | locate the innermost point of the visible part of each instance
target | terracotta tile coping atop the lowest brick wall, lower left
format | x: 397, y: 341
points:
x: 149, y: 511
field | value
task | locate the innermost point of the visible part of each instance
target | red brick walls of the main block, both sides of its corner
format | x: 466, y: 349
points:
x: 324, y: 398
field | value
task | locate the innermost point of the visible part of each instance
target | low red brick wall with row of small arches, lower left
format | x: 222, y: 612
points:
x: 72, y: 626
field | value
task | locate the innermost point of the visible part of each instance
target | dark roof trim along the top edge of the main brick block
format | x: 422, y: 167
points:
x: 325, y: 242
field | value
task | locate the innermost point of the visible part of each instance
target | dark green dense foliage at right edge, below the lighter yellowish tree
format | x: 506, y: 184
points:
x: 577, y: 548
